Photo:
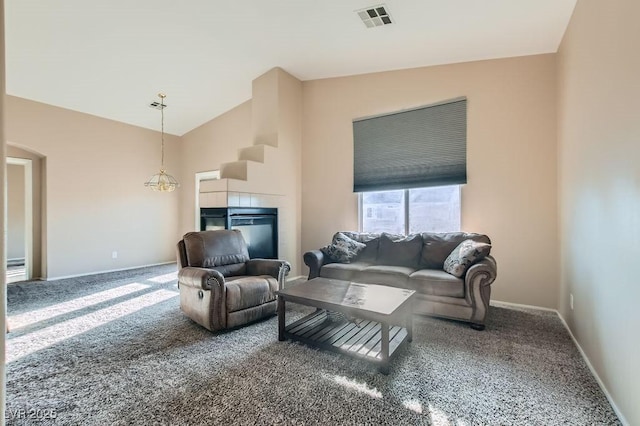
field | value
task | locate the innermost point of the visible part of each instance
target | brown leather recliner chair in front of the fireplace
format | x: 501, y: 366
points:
x: 220, y: 287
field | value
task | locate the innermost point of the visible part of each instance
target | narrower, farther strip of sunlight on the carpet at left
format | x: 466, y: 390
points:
x: 33, y: 317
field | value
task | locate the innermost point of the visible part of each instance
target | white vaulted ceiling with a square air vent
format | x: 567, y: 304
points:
x: 111, y: 57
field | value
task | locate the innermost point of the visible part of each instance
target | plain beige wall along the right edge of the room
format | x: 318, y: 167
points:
x: 599, y: 151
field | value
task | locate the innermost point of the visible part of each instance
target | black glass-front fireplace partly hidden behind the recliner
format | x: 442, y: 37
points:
x: 259, y: 227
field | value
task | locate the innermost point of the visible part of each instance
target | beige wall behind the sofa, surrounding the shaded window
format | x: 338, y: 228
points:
x: 511, y: 194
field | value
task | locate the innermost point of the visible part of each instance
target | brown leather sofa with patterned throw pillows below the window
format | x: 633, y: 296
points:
x: 451, y: 273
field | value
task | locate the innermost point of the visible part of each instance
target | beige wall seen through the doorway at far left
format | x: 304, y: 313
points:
x: 15, y: 212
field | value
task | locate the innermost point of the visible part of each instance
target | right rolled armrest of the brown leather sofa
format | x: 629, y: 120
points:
x: 477, y: 283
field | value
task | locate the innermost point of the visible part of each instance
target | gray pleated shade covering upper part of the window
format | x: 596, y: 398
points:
x: 410, y: 149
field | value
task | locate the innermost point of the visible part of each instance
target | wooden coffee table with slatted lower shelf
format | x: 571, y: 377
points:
x: 377, y: 319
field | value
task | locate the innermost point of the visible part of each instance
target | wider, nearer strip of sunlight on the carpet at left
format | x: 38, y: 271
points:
x: 45, y: 337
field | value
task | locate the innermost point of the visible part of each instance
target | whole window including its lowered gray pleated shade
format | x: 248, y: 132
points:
x: 408, y: 167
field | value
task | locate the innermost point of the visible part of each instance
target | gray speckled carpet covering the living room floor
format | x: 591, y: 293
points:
x: 115, y: 349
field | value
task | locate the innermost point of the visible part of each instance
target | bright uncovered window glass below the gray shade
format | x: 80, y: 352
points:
x: 410, y: 211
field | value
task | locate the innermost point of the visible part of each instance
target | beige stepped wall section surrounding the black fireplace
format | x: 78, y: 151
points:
x: 271, y: 117
